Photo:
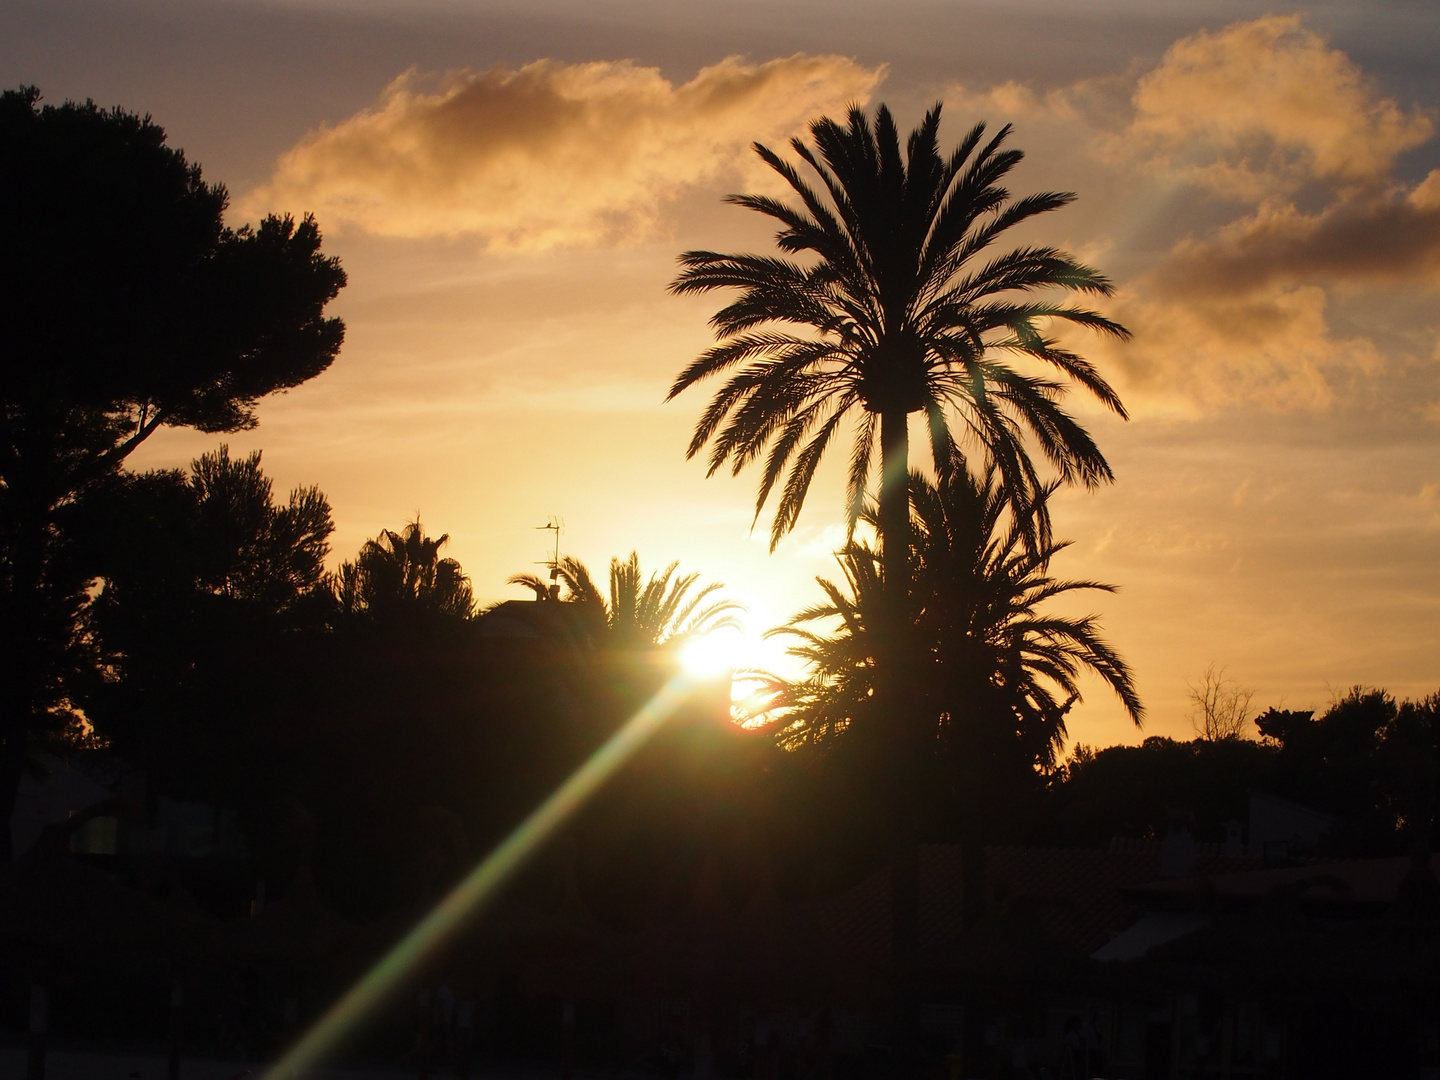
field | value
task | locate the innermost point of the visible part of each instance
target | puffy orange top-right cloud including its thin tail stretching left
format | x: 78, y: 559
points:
x: 1256, y: 110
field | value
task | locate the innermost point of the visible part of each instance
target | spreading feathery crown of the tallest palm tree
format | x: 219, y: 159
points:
x: 901, y: 320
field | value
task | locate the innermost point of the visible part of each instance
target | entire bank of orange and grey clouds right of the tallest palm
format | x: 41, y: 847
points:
x: 1265, y: 114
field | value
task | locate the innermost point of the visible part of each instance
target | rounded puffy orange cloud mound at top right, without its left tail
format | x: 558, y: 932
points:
x: 1262, y: 109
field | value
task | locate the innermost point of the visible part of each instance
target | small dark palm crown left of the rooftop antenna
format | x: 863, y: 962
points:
x: 404, y: 572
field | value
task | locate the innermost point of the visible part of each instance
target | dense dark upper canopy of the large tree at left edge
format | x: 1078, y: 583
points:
x: 126, y: 302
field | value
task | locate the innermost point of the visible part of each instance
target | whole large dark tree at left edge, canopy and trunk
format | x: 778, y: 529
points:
x: 126, y: 305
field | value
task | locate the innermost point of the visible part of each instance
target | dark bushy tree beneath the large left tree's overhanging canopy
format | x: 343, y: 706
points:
x: 201, y: 577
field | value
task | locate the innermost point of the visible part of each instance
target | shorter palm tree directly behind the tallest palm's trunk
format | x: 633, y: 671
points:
x: 999, y: 673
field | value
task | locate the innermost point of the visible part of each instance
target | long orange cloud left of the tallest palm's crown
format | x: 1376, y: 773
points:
x: 549, y: 153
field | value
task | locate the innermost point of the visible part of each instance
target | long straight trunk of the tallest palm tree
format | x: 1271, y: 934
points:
x: 896, y: 688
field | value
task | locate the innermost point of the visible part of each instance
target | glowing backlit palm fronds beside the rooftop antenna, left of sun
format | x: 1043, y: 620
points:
x: 660, y: 611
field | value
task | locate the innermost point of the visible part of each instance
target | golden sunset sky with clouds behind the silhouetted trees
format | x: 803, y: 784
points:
x: 509, y: 185
